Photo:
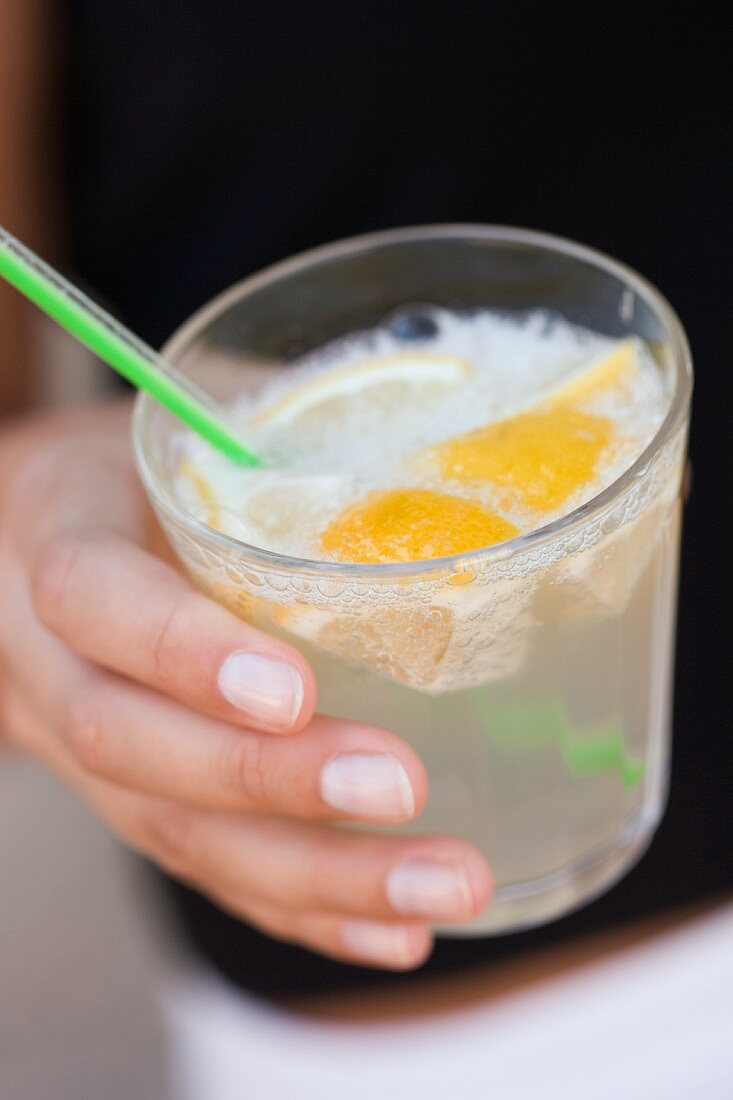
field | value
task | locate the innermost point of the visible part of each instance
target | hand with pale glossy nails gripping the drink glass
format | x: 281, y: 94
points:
x: 192, y: 733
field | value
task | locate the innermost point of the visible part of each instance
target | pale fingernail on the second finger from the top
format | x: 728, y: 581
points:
x: 368, y: 785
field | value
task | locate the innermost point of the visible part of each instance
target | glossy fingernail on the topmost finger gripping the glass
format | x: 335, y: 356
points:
x: 270, y: 691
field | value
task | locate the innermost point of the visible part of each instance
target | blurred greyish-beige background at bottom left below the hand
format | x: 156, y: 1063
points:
x: 78, y: 1010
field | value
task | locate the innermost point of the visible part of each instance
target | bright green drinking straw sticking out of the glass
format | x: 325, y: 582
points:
x: 119, y: 348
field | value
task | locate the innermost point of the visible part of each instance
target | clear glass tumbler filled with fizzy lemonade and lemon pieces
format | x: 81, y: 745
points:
x: 468, y: 526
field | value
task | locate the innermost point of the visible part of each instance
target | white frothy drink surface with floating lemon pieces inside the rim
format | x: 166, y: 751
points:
x: 510, y: 421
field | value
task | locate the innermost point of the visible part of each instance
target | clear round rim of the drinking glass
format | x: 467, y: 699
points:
x: 165, y: 500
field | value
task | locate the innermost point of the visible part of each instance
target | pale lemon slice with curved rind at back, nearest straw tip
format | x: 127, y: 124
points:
x: 391, y: 384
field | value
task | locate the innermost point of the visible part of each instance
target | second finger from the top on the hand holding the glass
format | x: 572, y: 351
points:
x: 138, y: 739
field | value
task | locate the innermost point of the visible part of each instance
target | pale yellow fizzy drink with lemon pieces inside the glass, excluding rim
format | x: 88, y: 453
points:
x: 534, y: 689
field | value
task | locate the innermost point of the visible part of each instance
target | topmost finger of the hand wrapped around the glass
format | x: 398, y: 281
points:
x: 124, y: 609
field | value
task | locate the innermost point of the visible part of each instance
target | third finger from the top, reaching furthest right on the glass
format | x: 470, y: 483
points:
x: 312, y: 868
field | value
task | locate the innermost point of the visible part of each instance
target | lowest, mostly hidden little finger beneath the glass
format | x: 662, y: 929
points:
x: 388, y: 945
